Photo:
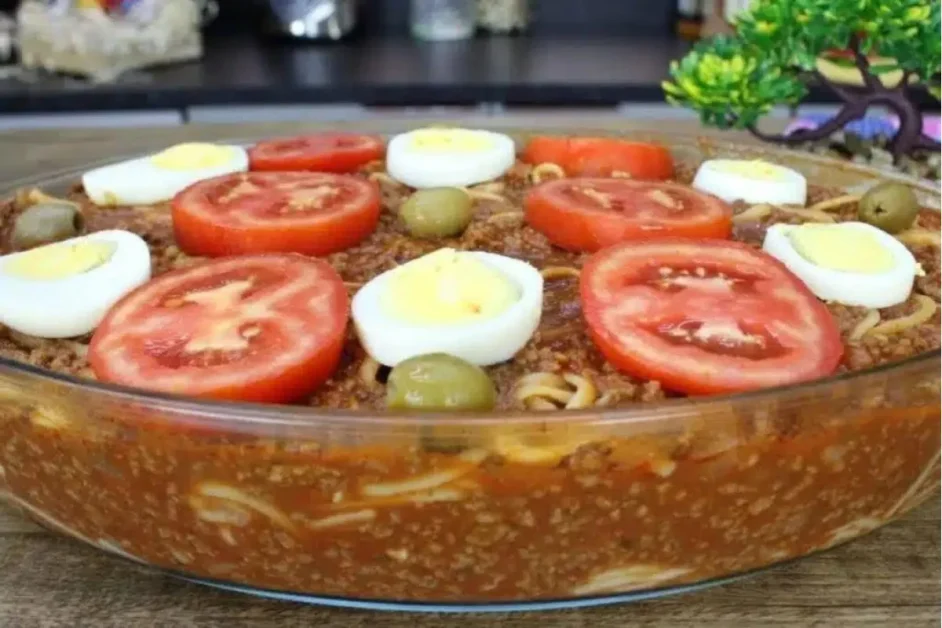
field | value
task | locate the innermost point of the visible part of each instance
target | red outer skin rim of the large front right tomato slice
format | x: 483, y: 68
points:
x: 830, y: 349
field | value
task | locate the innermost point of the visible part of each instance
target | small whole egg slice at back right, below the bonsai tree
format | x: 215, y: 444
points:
x: 751, y: 181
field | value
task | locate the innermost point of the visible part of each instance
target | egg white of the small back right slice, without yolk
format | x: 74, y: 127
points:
x: 735, y: 186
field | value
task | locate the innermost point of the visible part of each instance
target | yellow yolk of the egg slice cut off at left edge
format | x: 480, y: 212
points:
x: 58, y: 261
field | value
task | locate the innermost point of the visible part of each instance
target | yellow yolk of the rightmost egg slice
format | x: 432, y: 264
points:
x: 839, y: 247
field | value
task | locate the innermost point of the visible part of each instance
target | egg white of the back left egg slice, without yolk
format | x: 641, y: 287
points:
x: 142, y: 182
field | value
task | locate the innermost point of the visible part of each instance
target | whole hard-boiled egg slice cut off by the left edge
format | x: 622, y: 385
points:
x: 64, y: 289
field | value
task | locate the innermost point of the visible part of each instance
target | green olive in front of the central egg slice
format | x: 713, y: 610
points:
x: 439, y: 381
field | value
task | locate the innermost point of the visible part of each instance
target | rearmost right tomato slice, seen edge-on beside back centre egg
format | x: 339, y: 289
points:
x: 601, y: 157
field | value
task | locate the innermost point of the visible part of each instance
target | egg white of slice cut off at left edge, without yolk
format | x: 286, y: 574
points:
x: 73, y: 306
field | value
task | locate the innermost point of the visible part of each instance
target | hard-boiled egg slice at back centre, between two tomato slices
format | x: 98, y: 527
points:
x: 440, y: 157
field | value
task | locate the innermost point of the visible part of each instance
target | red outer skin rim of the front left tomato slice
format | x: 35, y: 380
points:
x: 286, y: 386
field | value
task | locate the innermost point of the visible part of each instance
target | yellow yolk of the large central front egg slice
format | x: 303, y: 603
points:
x: 447, y: 286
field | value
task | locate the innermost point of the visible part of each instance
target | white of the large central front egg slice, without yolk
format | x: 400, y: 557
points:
x: 491, y: 341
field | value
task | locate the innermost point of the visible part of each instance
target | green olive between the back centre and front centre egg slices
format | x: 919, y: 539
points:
x: 437, y: 212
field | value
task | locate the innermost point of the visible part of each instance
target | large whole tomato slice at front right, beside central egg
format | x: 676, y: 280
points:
x: 706, y: 316
